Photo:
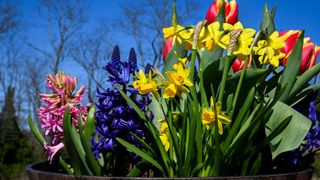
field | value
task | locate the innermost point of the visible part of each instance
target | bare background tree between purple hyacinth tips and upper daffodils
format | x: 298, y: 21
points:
x: 144, y: 20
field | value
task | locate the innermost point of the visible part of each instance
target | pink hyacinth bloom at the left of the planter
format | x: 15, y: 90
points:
x: 54, y: 106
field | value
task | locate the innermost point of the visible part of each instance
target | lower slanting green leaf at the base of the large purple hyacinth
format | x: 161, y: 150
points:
x: 140, y: 153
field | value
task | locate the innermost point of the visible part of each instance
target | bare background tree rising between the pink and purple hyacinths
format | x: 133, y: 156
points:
x: 90, y: 50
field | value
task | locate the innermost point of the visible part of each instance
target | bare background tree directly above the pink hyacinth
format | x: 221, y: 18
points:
x: 64, y: 19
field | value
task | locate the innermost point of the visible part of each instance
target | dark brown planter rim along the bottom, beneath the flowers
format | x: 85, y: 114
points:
x: 42, y: 171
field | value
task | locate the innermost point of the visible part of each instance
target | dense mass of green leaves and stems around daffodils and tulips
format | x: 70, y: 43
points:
x: 258, y: 101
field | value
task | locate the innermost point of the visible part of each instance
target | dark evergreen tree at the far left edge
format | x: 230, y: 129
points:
x: 16, y: 149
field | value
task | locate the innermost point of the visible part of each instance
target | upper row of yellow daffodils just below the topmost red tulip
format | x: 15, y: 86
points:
x: 268, y: 49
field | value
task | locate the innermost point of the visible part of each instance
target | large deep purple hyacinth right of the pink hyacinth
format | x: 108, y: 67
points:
x: 115, y: 118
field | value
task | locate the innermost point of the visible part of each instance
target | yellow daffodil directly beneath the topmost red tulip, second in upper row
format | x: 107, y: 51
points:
x: 214, y: 36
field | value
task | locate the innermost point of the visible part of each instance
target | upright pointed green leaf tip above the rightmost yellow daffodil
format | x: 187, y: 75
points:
x: 267, y: 25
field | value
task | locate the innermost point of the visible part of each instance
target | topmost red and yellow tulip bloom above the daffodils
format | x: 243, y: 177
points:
x: 231, y: 11
